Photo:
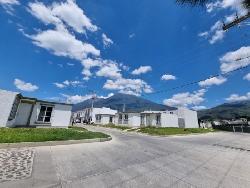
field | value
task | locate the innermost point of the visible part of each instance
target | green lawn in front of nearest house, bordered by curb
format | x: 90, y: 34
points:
x: 14, y: 135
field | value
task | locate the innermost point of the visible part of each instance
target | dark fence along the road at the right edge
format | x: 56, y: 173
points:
x: 233, y: 128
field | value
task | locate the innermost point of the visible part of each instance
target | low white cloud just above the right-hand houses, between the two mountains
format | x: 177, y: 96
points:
x: 186, y: 99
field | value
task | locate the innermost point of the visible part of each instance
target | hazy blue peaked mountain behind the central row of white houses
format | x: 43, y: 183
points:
x: 132, y: 104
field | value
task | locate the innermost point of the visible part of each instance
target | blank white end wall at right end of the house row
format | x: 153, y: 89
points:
x: 190, y: 117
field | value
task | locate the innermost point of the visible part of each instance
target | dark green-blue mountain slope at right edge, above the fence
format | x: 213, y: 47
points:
x: 227, y: 111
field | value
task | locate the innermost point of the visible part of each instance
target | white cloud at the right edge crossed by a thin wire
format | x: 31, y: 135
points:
x: 235, y: 59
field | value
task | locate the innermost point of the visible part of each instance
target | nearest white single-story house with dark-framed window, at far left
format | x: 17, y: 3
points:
x: 17, y: 110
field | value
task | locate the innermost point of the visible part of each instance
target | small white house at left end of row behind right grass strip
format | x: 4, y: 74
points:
x: 130, y: 119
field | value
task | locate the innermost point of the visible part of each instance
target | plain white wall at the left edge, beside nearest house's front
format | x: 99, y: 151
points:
x: 7, y: 99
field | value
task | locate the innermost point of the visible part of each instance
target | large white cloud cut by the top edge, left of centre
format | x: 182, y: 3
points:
x: 65, y: 12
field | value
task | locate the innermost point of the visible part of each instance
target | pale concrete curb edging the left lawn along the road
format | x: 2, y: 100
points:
x: 52, y: 143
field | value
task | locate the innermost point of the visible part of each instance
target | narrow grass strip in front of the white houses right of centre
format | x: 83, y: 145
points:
x: 172, y: 131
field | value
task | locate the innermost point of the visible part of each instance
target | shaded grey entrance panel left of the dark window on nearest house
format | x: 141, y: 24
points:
x: 23, y: 114
